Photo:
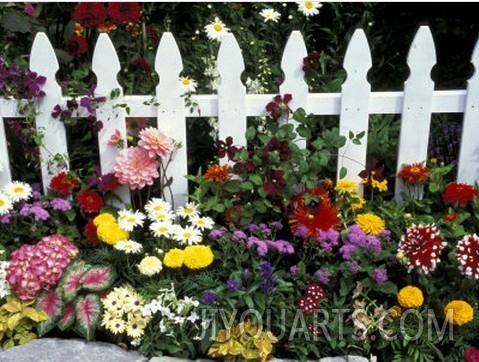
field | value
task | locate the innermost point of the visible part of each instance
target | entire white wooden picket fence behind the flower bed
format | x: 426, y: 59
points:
x: 231, y: 105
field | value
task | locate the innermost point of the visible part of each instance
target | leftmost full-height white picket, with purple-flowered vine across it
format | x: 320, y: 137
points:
x: 44, y: 61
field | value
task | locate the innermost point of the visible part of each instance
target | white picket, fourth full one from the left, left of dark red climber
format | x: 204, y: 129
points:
x: 231, y: 92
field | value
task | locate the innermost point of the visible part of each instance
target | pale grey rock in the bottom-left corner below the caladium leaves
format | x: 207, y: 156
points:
x: 69, y: 350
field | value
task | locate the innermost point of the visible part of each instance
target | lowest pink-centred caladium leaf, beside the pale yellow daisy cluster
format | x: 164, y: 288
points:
x: 88, y: 310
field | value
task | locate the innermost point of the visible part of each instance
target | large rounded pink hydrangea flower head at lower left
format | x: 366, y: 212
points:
x: 33, y: 267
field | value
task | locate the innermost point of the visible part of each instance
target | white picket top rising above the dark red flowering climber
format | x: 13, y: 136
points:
x: 292, y: 65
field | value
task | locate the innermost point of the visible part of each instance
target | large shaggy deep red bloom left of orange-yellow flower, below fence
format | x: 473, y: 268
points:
x: 318, y: 214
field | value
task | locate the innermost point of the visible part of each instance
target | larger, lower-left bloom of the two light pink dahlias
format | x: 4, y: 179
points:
x: 135, y: 167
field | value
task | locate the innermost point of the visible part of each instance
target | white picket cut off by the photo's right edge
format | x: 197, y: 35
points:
x: 468, y: 167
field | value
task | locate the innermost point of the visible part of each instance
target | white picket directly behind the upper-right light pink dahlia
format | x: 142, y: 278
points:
x: 171, y: 113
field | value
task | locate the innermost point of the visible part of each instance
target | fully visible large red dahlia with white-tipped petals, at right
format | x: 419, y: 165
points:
x: 422, y: 246
